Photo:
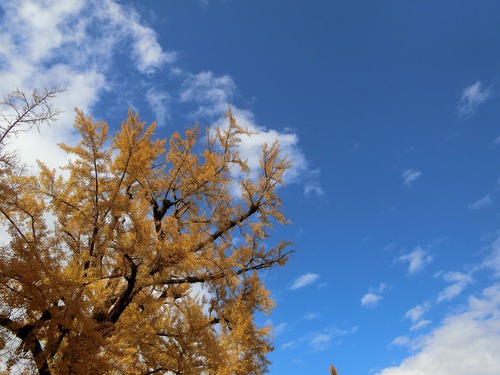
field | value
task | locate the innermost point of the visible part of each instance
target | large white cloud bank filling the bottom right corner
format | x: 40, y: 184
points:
x: 465, y: 343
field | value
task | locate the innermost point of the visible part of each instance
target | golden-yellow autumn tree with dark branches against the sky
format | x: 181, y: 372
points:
x: 140, y: 256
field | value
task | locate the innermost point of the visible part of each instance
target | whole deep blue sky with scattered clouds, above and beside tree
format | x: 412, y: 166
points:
x: 390, y: 111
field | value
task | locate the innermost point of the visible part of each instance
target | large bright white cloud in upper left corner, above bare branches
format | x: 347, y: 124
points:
x: 73, y: 44
